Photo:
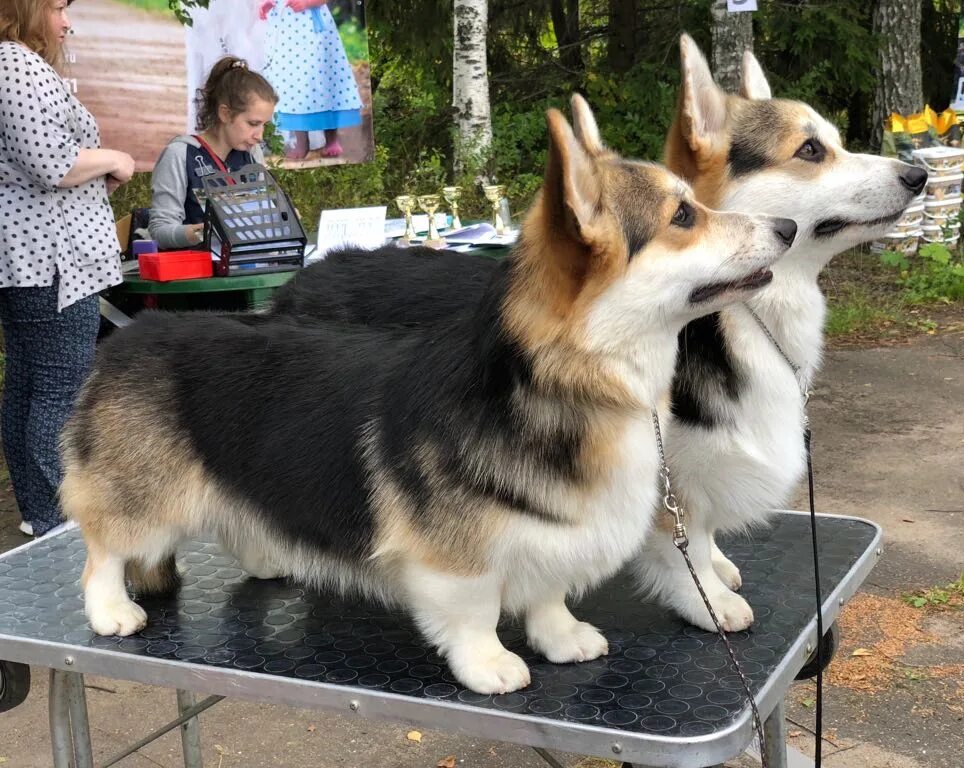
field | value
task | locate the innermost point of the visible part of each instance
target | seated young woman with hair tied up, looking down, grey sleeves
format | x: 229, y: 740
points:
x: 233, y: 107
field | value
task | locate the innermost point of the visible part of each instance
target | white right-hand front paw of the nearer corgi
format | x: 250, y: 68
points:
x: 559, y: 636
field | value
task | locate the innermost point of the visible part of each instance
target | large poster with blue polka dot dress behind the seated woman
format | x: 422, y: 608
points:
x: 137, y: 67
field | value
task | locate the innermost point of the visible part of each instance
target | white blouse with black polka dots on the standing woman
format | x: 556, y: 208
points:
x: 45, y: 230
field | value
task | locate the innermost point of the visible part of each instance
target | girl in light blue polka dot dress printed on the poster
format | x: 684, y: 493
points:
x: 305, y: 61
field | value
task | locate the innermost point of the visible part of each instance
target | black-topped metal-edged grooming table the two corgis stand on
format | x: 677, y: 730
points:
x: 666, y: 695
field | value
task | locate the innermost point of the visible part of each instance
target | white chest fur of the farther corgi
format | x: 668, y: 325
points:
x: 751, y: 460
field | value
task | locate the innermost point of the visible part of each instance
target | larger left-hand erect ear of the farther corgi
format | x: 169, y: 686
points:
x: 702, y: 104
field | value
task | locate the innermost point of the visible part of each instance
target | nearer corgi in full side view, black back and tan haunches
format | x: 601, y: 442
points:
x: 501, y: 463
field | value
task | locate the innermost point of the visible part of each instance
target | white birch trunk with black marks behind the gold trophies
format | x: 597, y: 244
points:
x: 470, y: 82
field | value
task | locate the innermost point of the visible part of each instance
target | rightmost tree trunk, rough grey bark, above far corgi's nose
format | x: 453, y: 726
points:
x: 899, y: 88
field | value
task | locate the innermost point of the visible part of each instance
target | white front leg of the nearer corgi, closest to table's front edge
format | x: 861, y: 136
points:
x: 459, y: 614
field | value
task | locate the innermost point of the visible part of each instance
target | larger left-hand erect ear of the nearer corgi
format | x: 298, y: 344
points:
x: 572, y: 189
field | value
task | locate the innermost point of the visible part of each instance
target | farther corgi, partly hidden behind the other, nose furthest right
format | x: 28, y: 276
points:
x: 736, y: 448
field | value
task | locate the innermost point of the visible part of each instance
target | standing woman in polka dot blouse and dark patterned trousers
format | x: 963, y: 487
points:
x: 58, y: 248
